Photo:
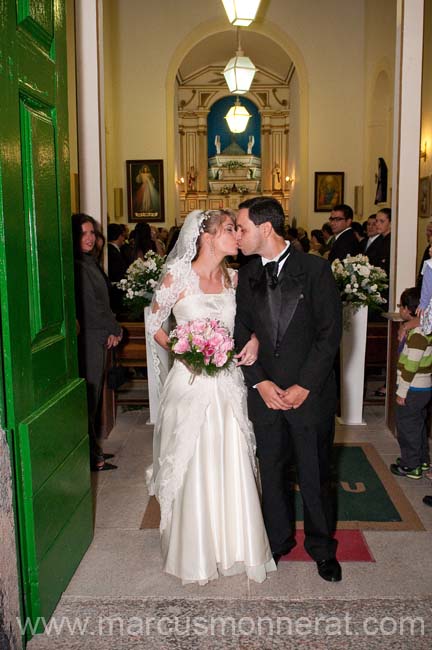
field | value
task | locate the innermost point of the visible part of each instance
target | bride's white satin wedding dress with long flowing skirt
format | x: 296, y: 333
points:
x: 204, y: 471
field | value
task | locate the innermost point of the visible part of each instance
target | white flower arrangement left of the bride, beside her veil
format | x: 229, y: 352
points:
x: 140, y: 282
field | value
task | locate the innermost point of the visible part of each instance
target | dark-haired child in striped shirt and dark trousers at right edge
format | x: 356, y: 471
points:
x: 413, y: 393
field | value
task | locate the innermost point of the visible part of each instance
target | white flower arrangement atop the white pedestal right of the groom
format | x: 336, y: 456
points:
x: 359, y: 283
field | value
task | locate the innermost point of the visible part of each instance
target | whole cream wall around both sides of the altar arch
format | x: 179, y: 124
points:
x: 142, y: 43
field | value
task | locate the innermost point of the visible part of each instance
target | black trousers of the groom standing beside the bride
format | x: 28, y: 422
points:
x: 303, y: 437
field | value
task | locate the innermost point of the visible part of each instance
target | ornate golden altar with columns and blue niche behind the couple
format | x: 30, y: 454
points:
x: 218, y: 168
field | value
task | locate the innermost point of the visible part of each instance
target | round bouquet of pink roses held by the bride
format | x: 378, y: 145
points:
x: 205, y: 345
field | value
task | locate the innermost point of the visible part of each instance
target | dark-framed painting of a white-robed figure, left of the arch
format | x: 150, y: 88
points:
x: 145, y: 190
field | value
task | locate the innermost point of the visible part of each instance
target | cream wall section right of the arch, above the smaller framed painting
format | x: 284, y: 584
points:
x: 330, y: 36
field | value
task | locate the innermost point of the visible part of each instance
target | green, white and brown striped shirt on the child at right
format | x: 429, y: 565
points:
x: 415, y: 363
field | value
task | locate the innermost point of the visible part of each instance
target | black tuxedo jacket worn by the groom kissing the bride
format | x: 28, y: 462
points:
x: 299, y: 330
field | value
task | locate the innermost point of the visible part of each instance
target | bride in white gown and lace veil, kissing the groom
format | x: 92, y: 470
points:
x: 204, y: 473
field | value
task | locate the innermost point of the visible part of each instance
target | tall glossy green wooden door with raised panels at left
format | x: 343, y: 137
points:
x: 45, y: 402
